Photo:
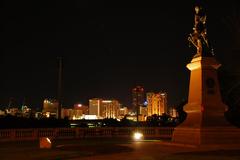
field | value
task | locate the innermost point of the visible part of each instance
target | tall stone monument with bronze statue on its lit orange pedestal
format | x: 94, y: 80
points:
x: 205, y: 122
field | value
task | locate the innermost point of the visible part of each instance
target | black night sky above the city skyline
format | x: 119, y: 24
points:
x: 107, y: 48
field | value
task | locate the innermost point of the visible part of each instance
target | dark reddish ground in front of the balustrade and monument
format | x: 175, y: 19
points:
x: 113, y: 149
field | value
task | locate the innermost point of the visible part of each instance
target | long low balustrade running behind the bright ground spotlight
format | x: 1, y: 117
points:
x: 71, y: 133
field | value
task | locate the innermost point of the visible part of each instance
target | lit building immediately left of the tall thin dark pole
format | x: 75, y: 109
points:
x: 50, y: 107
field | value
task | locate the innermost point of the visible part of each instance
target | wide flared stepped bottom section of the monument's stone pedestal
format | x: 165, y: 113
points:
x: 206, y: 127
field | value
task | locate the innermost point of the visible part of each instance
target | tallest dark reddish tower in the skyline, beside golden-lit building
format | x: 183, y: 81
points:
x: 137, y: 99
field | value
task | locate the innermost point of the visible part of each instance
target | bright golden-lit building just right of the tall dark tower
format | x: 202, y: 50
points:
x: 156, y: 103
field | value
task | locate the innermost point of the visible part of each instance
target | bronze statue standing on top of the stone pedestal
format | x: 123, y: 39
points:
x: 199, y: 36
